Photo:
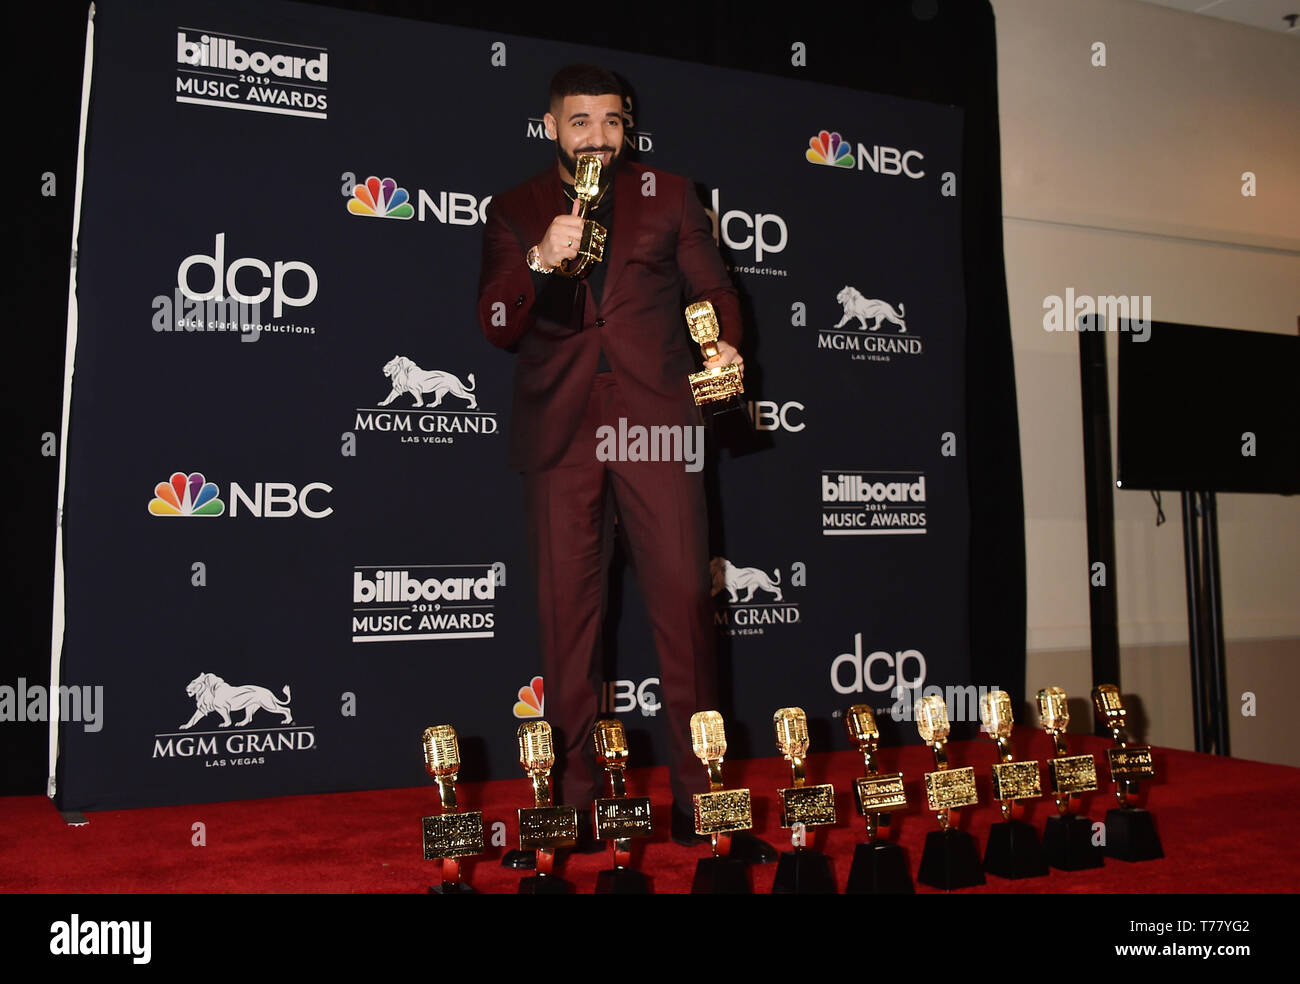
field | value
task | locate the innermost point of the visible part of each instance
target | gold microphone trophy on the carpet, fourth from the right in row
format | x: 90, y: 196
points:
x: 951, y: 859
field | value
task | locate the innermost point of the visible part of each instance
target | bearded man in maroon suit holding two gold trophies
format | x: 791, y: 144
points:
x: 593, y: 350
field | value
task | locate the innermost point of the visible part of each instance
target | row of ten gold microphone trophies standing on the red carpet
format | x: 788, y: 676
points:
x: 951, y: 859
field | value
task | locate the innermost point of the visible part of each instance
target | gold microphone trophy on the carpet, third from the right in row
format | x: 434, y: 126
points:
x: 1013, y: 849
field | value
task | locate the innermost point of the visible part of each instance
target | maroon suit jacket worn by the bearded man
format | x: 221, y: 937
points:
x: 661, y: 257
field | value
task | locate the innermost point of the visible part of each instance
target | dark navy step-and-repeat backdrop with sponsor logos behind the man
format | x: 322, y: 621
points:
x: 292, y: 539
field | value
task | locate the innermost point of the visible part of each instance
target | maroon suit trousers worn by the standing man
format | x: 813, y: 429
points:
x: 661, y: 508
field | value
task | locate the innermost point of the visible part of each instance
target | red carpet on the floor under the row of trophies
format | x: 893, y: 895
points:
x: 1227, y: 826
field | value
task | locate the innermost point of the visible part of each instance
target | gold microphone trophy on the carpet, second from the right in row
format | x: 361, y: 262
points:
x: 1068, y: 839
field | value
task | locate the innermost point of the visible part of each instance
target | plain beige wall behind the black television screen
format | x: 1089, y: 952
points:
x: 1128, y: 180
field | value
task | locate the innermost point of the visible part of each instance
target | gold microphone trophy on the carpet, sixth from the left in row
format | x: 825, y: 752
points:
x: 879, y: 866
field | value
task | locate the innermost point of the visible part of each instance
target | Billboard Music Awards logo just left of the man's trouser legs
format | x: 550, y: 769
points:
x: 408, y: 604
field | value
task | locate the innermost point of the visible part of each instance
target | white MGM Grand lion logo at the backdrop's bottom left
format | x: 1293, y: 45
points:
x: 242, y: 745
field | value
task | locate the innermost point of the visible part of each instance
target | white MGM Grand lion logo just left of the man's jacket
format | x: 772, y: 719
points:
x: 414, y: 408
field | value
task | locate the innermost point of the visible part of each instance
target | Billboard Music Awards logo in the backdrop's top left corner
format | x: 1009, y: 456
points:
x: 235, y: 72
